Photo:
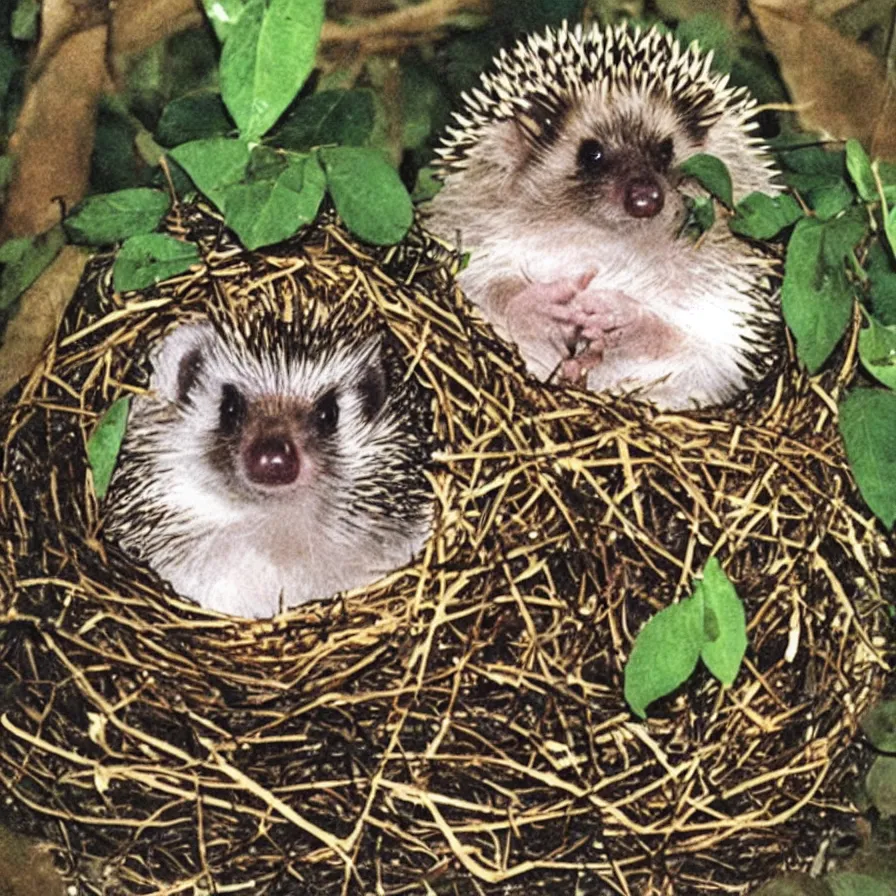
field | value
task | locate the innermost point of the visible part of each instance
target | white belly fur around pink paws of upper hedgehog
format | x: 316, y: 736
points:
x: 701, y: 292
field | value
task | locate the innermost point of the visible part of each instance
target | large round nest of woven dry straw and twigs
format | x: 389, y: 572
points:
x: 458, y: 727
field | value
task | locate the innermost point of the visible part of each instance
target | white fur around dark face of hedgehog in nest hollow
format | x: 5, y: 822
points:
x: 234, y: 546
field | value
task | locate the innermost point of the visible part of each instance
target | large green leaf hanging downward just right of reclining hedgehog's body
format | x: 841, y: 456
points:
x: 816, y: 297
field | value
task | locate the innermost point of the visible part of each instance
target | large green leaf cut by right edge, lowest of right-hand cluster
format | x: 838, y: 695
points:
x: 868, y: 428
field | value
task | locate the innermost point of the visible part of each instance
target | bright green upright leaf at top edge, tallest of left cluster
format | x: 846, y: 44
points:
x: 266, y: 58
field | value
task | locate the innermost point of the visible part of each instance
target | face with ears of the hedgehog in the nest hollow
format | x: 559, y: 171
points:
x: 267, y: 428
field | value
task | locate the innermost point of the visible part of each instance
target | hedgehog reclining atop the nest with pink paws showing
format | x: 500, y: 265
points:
x: 561, y: 179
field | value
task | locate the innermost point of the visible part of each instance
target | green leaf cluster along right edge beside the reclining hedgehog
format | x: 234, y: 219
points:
x: 840, y: 223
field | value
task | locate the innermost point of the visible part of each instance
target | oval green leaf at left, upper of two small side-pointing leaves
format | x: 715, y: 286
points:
x: 109, y: 217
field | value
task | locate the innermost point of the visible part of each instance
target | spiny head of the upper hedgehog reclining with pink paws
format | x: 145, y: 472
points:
x: 588, y: 127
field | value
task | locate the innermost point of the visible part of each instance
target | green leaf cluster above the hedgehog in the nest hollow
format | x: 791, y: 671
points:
x: 266, y: 188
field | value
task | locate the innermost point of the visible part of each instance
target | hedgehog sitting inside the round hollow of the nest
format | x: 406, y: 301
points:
x: 263, y: 469
